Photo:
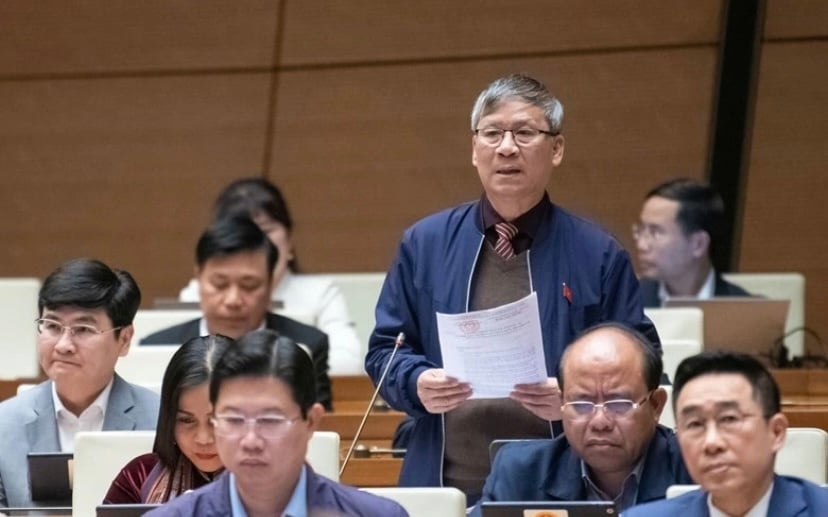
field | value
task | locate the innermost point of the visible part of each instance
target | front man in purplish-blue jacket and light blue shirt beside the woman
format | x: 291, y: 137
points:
x: 263, y: 396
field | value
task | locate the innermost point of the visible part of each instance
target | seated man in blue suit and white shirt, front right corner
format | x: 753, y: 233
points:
x: 730, y: 427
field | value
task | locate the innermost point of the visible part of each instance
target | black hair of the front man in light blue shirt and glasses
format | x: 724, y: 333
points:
x: 264, y: 353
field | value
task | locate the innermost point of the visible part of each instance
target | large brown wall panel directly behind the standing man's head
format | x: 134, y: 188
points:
x: 363, y: 152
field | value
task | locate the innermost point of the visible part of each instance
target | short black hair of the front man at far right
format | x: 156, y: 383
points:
x: 765, y: 389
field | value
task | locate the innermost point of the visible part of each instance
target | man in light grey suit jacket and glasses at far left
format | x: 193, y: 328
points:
x: 85, y: 325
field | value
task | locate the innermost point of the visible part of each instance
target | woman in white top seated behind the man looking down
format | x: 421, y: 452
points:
x: 317, y: 297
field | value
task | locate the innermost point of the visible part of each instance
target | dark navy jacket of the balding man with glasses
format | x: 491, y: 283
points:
x: 550, y: 470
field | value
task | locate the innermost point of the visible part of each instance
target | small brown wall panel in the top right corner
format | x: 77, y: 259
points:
x: 796, y: 19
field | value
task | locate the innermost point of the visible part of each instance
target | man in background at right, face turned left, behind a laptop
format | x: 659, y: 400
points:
x: 681, y: 221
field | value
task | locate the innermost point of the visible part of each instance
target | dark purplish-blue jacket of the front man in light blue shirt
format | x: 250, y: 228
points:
x: 325, y: 498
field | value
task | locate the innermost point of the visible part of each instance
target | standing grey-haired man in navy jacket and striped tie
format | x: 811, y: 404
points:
x: 483, y: 254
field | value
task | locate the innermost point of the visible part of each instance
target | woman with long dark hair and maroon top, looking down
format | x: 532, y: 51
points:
x: 184, y: 454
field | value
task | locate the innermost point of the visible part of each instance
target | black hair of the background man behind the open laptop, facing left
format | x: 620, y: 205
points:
x: 700, y: 207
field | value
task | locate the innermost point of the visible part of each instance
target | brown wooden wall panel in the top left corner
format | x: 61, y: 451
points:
x: 110, y: 36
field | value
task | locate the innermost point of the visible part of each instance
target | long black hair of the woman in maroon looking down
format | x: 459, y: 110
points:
x: 189, y: 367
